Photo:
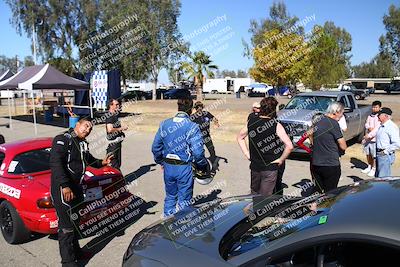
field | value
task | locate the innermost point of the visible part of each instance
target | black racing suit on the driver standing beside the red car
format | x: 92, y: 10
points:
x: 68, y: 160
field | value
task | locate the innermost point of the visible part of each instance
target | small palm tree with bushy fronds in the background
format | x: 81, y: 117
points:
x: 200, y: 64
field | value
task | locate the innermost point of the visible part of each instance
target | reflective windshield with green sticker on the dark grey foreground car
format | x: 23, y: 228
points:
x: 281, y: 222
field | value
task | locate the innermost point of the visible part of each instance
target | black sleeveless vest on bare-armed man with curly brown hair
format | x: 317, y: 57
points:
x: 264, y: 144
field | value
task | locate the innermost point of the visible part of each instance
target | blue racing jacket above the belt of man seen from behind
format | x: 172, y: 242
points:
x: 179, y: 138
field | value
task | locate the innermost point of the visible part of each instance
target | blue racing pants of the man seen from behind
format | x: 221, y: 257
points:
x: 178, y: 181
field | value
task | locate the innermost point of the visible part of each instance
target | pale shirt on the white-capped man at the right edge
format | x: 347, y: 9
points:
x: 388, y: 137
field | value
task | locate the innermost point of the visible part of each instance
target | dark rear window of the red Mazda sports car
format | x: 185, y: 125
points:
x: 30, y: 162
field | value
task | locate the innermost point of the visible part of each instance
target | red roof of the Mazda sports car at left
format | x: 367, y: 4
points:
x: 20, y: 146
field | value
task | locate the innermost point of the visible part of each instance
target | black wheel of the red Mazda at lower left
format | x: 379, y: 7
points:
x: 12, y: 227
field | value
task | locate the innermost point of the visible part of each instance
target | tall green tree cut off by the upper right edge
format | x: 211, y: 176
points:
x: 391, y: 40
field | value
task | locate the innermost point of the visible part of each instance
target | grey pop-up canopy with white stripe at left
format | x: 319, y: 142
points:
x: 42, y: 77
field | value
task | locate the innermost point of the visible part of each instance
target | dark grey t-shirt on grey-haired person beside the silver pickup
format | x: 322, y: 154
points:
x: 326, y: 151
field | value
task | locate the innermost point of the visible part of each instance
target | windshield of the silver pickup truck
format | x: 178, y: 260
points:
x: 319, y: 103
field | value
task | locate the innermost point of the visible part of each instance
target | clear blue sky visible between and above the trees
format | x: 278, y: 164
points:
x: 361, y: 18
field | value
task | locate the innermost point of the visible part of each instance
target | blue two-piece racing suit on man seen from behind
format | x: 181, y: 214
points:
x: 178, y: 143
